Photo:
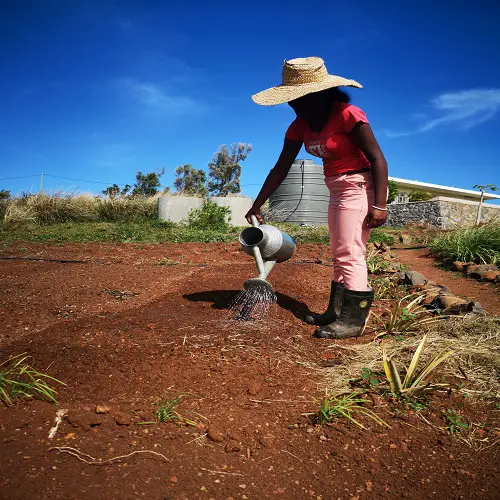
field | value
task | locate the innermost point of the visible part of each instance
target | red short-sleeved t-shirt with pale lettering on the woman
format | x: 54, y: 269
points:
x: 333, y: 144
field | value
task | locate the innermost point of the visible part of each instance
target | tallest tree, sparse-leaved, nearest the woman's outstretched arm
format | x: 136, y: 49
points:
x: 225, y: 169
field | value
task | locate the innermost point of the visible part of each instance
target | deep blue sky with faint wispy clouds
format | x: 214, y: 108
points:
x: 98, y: 90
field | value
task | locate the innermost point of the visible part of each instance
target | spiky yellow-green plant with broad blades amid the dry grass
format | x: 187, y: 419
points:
x: 416, y: 380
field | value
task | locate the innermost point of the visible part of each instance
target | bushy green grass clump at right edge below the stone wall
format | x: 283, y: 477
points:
x: 479, y: 244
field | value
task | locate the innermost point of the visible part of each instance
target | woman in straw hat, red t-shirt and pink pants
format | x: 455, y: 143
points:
x: 355, y: 173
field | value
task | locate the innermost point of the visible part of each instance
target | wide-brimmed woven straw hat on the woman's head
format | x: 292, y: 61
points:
x: 300, y: 77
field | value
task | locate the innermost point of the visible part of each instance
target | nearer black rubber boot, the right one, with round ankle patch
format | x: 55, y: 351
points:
x: 352, y: 318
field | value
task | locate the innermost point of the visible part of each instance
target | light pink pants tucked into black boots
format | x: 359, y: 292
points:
x: 351, y: 197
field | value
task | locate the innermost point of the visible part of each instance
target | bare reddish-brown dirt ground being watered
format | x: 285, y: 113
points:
x: 126, y: 325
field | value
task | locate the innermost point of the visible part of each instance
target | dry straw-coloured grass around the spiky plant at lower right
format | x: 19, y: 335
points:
x: 476, y: 359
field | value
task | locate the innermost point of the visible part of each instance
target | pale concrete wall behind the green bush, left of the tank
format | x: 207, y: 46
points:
x: 177, y: 208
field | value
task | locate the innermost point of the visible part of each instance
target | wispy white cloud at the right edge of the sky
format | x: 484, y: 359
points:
x: 464, y: 109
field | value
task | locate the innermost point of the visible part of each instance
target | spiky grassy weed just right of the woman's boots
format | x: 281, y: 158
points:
x: 406, y: 316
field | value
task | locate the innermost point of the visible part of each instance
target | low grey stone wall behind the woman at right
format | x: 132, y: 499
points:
x: 441, y: 212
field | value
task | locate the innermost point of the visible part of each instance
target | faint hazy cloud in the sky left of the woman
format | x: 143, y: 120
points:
x: 157, y: 99
